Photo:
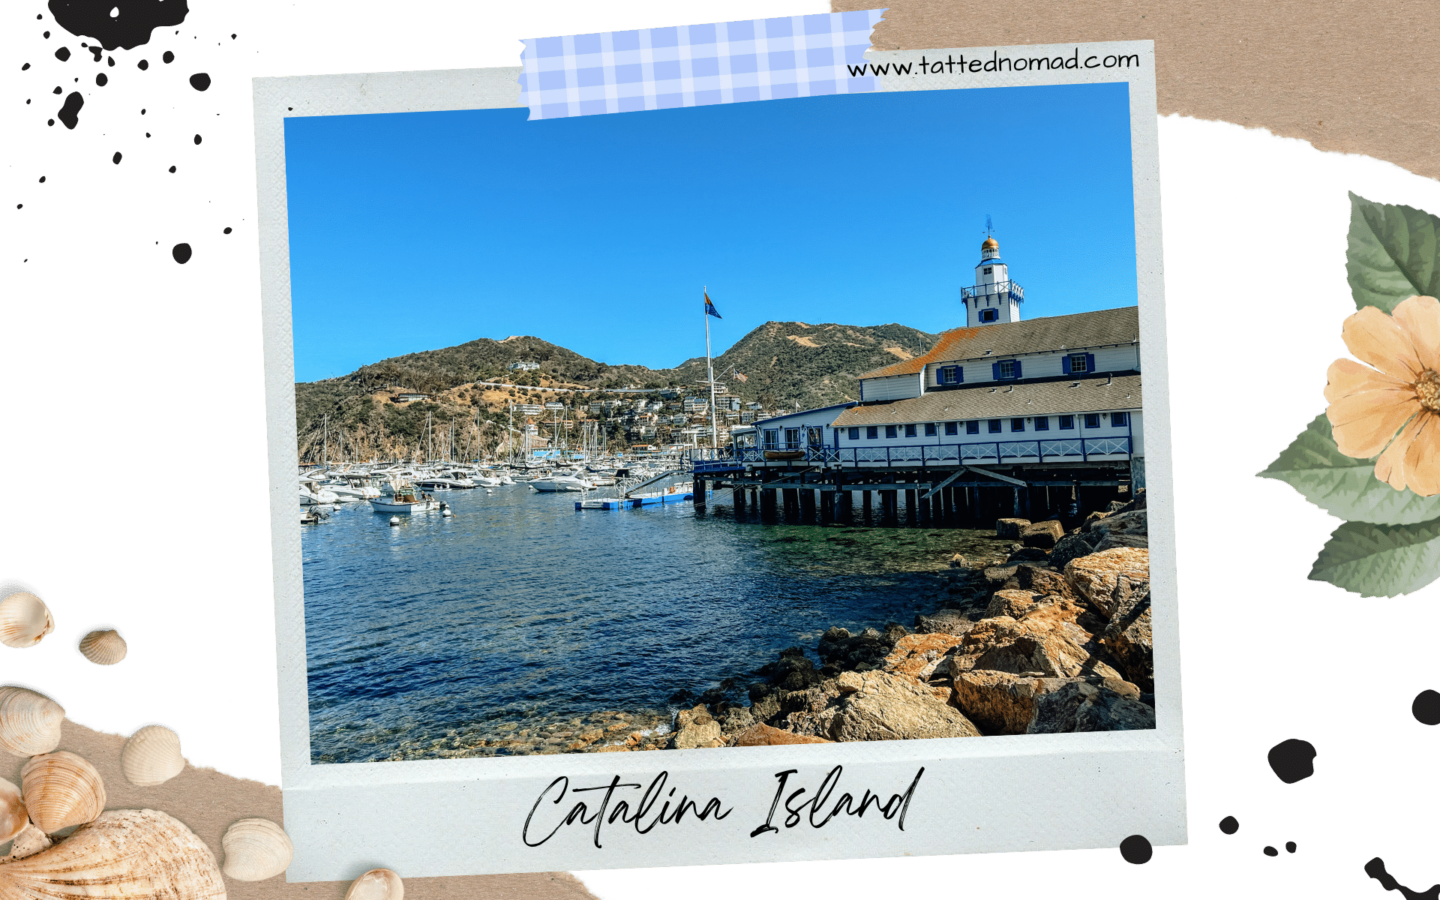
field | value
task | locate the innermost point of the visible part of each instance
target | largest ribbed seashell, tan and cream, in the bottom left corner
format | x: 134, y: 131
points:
x: 123, y: 855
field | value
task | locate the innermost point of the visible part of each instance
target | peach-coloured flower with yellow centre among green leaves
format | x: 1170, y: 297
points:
x: 1399, y: 391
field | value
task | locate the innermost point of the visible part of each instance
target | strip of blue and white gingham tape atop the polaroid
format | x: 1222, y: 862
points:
x: 696, y: 66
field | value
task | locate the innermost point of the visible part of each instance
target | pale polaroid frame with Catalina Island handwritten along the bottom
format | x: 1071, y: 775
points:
x: 728, y: 806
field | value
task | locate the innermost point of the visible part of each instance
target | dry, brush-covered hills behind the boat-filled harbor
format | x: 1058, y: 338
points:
x: 778, y: 365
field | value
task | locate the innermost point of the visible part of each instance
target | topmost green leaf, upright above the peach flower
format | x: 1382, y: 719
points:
x: 1392, y: 253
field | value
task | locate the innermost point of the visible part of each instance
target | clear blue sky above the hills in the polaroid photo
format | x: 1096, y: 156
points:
x: 423, y: 231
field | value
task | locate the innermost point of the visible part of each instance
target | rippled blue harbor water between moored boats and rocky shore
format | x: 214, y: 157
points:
x: 523, y: 617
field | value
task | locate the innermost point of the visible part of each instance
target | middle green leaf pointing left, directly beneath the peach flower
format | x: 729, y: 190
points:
x: 1341, y: 486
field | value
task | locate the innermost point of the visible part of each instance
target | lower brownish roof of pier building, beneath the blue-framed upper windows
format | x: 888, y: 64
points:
x: 1003, y: 401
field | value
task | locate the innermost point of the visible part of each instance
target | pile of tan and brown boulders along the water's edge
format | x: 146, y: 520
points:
x: 1055, y: 640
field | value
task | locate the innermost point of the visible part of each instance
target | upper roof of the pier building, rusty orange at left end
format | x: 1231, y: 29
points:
x: 1097, y: 329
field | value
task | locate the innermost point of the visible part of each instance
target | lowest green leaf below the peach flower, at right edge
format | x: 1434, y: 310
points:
x: 1380, y: 561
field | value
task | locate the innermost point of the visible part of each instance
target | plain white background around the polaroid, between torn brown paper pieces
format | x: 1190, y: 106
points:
x: 135, y: 379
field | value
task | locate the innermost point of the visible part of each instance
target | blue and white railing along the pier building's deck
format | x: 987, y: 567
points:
x: 708, y: 460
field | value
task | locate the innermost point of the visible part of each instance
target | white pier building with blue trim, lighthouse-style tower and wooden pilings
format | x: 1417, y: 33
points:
x: 1002, y: 417
